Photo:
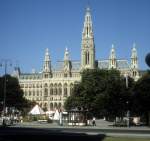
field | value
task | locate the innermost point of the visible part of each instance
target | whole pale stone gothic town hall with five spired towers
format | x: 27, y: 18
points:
x: 52, y: 86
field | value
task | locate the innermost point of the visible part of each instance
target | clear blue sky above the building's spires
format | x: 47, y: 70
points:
x: 28, y: 27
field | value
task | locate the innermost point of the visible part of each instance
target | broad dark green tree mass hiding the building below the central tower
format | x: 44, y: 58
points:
x: 102, y: 92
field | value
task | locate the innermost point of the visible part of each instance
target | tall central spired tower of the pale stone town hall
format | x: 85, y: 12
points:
x: 87, y: 45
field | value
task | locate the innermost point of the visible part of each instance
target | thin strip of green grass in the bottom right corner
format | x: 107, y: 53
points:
x: 125, y: 139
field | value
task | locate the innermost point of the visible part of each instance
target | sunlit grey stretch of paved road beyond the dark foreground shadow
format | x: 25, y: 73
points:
x: 90, y: 130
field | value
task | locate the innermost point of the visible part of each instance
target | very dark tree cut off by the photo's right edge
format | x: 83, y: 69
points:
x: 141, y: 97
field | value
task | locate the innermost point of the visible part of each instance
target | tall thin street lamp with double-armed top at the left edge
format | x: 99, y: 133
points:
x: 4, y: 63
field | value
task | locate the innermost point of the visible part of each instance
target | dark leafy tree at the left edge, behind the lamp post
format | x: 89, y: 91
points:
x: 14, y: 94
